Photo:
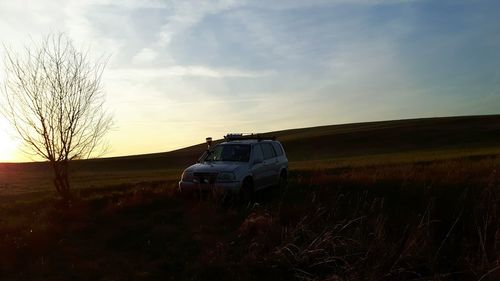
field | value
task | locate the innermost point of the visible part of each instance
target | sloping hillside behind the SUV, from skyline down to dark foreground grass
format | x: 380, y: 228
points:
x: 359, y: 144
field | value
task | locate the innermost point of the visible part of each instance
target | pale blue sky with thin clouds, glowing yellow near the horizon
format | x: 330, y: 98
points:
x: 180, y: 71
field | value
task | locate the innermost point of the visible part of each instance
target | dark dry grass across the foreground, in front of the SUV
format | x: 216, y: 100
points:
x: 408, y: 221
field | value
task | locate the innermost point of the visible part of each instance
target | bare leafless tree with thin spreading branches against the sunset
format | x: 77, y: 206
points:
x: 53, y: 97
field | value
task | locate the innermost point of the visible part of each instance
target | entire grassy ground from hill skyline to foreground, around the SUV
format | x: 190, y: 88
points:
x: 398, y: 200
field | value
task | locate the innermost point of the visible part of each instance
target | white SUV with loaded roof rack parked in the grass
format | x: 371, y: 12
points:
x: 241, y: 164
